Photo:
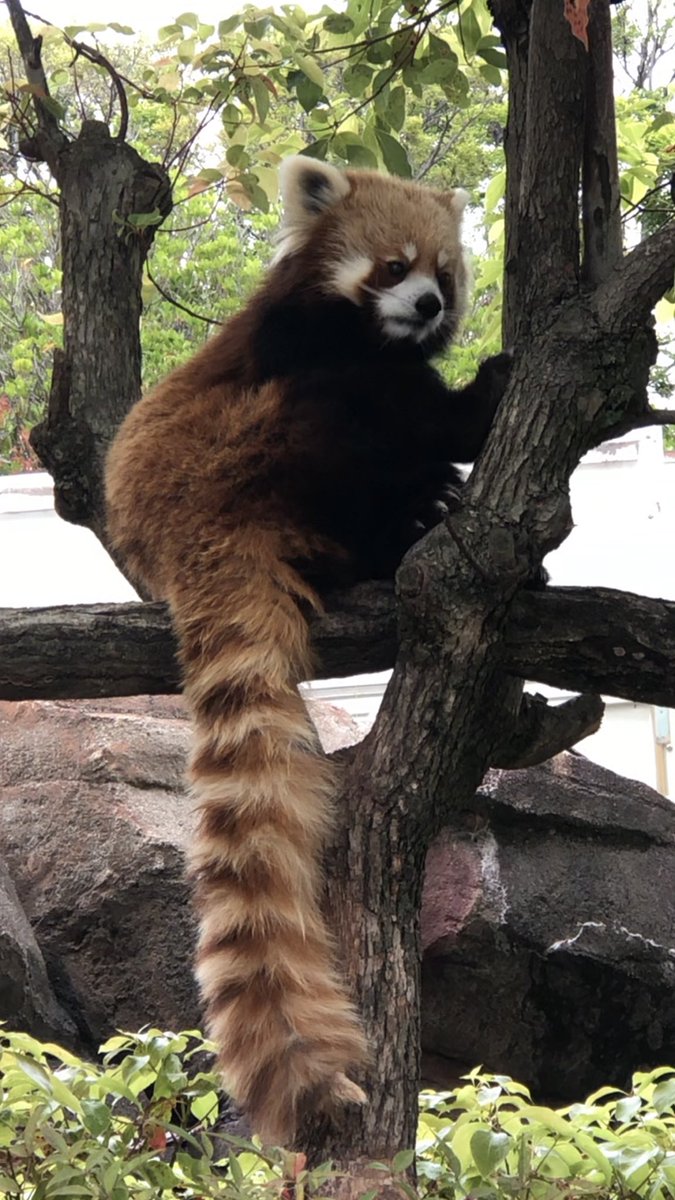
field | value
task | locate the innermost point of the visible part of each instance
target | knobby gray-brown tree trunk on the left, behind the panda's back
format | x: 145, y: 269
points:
x: 97, y: 377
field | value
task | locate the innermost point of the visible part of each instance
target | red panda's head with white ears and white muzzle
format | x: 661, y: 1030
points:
x: 387, y: 245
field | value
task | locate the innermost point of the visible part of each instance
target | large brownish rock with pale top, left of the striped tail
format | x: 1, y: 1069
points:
x: 93, y: 827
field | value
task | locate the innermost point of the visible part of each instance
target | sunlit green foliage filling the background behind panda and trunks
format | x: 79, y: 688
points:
x: 414, y: 87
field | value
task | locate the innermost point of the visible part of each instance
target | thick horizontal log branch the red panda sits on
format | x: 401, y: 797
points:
x: 578, y: 639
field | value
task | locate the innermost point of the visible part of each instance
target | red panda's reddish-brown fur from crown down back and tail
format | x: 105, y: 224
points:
x: 194, y: 527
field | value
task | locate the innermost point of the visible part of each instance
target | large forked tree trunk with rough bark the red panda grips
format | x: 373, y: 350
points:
x: 584, y: 346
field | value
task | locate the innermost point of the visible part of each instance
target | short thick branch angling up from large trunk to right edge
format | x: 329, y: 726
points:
x: 626, y: 299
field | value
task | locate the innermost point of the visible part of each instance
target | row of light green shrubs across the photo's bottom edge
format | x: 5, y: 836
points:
x: 144, y: 1124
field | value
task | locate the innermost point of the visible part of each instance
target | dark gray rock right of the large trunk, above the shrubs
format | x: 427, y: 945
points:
x: 549, y: 931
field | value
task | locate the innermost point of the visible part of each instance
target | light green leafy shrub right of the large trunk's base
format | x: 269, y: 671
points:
x: 488, y: 1139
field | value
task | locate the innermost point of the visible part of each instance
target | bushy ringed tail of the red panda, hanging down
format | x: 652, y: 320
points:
x: 286, y: 1031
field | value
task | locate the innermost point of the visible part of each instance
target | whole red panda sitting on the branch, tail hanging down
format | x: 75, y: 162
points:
x: 306, y: 446
